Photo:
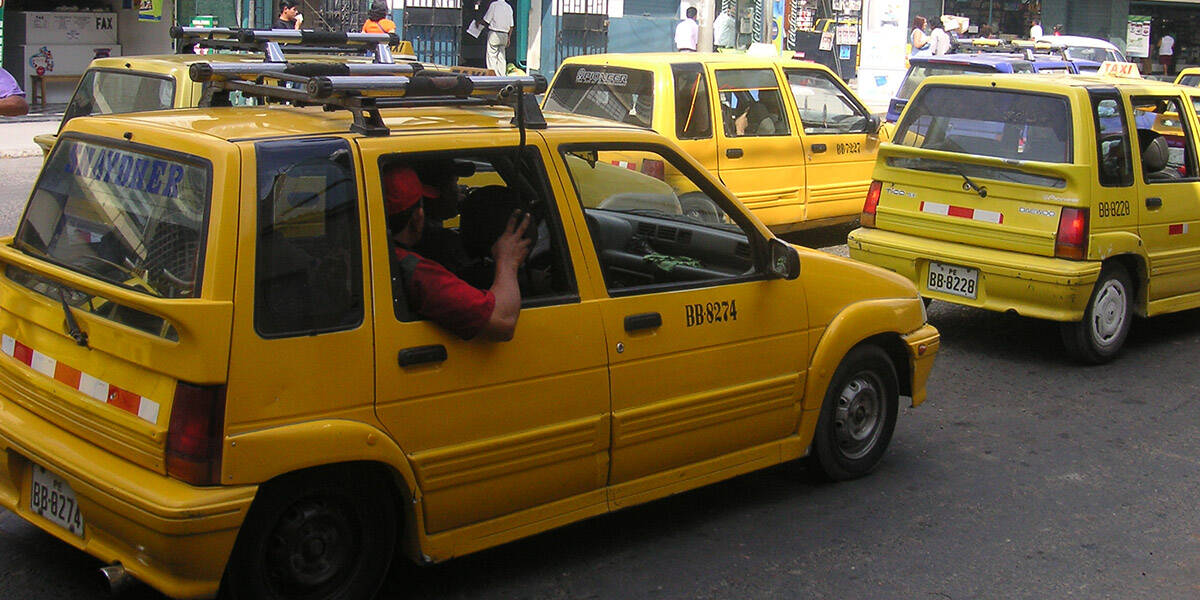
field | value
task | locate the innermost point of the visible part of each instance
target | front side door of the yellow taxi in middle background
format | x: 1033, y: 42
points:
x: 839, y: 142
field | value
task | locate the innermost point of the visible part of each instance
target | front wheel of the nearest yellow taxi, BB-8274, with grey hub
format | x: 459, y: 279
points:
x: 857, y: 418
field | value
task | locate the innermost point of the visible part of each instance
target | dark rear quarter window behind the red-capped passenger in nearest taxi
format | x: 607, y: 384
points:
x: 309, y: 266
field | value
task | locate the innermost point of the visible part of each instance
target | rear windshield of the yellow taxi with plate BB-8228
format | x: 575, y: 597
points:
x: 997, y: 123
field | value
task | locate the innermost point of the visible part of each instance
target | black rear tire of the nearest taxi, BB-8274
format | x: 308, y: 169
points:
x: 322, y: 535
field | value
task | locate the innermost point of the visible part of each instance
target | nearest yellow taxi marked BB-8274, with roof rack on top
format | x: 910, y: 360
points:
x: 212, y: 377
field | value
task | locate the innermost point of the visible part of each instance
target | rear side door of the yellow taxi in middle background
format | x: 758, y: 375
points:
x: 759, y: 157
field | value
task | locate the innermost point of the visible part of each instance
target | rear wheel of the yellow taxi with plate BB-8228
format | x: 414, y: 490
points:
x: 1100, y: 337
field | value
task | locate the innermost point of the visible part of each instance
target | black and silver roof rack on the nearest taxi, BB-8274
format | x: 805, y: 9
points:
x: 364, y: 89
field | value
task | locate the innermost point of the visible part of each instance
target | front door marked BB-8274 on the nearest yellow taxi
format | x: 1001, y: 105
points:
x: 707, y: 355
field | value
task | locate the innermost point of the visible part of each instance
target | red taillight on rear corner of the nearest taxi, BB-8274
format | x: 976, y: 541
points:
x: 196, y: 433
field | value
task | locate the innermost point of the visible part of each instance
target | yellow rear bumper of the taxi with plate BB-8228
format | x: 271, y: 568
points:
x: 1042, y: 287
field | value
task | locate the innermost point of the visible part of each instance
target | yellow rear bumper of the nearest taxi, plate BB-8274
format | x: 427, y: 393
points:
x: 175, y: 537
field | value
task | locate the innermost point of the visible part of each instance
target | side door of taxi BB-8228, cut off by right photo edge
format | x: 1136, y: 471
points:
x: 1171, y: 196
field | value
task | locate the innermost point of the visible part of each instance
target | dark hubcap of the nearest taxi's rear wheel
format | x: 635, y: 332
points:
x: 310, y: 549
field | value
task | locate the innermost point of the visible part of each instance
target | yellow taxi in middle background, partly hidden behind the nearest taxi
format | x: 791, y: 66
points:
x: 787, y: 136
